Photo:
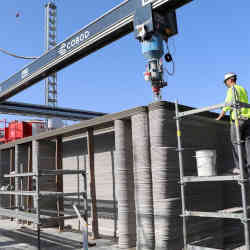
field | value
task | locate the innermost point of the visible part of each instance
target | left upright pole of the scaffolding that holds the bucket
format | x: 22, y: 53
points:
x: 179, y: 149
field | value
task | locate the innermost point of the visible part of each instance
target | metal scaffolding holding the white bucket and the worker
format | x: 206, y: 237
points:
x: 242, y: 178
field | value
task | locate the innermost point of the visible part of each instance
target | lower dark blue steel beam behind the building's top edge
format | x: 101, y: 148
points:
x: 46, y: 111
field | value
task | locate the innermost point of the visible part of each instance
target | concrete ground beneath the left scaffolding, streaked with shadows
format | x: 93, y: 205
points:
x: 15, y: 237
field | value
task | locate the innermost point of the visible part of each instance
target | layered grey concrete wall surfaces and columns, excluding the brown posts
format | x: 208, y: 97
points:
x: 137, y: 177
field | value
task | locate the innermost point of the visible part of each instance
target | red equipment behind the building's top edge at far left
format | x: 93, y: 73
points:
x: 17, y: 130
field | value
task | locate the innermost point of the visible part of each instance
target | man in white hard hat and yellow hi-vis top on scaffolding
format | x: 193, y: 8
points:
x: 244, y: 122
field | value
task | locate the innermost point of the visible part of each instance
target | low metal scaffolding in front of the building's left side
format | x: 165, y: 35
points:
x: 36, y: 217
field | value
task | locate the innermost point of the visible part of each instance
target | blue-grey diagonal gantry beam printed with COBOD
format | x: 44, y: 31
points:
x: 113, y: 25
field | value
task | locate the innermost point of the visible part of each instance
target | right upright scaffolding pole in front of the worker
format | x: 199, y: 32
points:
x: 243, y: 182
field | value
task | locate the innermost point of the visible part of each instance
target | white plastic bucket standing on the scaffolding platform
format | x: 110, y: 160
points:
x: 206, y: 162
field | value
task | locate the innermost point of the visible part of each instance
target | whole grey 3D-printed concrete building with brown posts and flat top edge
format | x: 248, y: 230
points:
x: 133, y: 175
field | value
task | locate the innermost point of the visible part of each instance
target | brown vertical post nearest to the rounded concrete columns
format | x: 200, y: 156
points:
x: 91, y: 159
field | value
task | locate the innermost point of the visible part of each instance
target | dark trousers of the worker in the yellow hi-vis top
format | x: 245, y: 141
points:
x: 245, y: 144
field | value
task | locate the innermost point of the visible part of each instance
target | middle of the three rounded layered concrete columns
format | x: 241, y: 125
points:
x: 143, y: 182
